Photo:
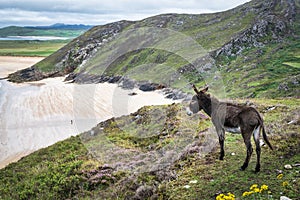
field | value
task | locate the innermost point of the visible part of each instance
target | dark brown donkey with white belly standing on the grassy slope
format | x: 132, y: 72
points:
x: 231, y: 118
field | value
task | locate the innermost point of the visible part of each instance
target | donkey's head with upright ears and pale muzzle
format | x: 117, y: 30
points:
x: 199, y: 101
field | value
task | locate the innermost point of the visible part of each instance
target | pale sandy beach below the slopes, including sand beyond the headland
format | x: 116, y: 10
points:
x: 36, y: 115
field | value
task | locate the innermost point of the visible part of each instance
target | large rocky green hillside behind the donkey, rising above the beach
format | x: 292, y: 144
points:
x: 254, y: 47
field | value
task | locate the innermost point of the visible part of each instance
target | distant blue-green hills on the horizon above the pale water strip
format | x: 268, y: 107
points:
x: 58, y: 30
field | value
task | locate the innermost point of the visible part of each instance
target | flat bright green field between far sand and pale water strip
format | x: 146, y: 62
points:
x: 30, y: 48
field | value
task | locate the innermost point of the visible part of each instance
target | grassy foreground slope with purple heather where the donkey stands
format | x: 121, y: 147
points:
x: 110, y: 162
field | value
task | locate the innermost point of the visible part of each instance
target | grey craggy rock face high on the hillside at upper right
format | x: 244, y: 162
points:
x: 268, y: 23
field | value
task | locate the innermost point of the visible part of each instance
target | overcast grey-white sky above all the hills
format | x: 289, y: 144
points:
x: 95, y: 12
